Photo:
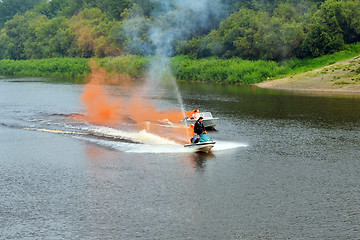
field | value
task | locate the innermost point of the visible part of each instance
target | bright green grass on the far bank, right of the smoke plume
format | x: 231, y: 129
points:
x: 236, y: 70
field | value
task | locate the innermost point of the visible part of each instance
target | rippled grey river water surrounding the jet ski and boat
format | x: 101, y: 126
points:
x: 285, y: 166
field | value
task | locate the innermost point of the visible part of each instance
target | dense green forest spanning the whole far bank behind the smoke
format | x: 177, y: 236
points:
x: 249, y: 29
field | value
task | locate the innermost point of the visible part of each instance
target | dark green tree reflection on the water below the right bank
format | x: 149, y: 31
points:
x: 248, y: 102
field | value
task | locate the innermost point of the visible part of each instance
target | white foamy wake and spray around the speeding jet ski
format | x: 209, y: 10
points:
x: 127, y: 139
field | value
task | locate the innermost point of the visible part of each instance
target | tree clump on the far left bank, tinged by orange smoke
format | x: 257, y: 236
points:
x: 34, y: 36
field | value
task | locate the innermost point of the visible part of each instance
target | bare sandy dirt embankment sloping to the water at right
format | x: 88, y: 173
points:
x: 342, y: 77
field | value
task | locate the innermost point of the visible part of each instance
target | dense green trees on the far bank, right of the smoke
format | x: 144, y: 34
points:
x: 292, y: 30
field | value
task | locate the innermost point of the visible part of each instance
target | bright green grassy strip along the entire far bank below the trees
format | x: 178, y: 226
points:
x: 229, y: 71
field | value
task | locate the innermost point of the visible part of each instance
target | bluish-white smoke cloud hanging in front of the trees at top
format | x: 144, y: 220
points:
x: 156, y: 32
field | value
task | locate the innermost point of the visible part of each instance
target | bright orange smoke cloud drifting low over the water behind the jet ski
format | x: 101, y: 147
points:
x: 103, y: 108
